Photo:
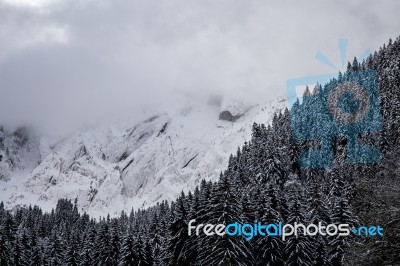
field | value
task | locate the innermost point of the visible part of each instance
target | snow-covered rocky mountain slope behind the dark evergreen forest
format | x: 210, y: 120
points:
x: 119, y: 166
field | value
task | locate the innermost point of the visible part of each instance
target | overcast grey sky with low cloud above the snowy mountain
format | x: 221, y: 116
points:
x: 64, y: 59
